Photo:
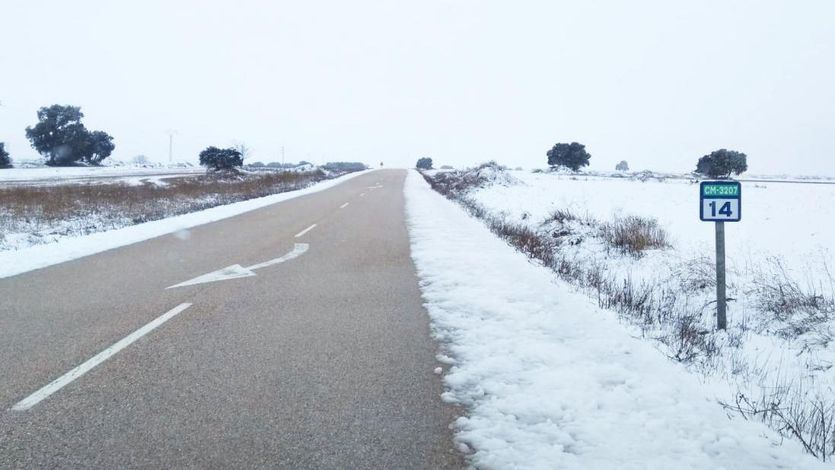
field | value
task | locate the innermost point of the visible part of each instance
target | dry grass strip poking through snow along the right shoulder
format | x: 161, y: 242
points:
x: 629, y: 266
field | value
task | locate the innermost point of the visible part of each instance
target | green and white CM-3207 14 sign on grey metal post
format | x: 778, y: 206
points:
x: 720, y: 202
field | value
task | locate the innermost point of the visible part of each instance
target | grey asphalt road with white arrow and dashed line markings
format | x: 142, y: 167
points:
x: 322, y: 360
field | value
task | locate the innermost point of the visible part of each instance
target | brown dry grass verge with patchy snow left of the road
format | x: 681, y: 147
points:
x: 34, y: 215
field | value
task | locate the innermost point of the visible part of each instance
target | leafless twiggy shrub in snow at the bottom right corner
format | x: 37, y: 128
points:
x: 788, y: 410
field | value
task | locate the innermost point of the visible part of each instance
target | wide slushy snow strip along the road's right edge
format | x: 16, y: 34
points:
x: 551, y: 381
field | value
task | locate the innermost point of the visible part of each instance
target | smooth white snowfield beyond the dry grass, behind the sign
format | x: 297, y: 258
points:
x: 791, y: 220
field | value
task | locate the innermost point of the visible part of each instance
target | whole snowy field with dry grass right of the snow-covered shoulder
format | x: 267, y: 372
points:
x: 775, y: 361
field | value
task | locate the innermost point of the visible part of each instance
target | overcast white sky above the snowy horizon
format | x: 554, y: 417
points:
x: 658, y: 83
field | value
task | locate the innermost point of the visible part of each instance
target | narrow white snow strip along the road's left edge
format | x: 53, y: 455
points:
x: 68, y: 248
